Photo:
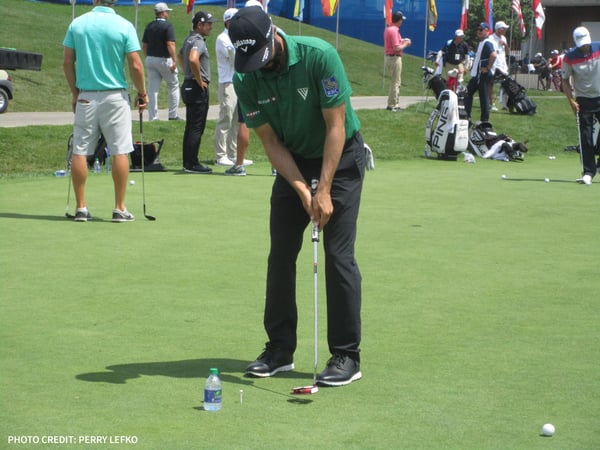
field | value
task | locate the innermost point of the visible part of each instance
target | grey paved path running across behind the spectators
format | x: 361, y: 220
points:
x: 10, y: 119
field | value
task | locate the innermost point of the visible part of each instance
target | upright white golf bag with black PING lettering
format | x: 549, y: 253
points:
x: 447, y: 130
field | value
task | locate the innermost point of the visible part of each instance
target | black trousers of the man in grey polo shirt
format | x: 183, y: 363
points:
x: 196, y: 110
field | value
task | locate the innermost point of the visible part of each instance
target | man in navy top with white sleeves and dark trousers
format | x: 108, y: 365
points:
x: 481, y: 73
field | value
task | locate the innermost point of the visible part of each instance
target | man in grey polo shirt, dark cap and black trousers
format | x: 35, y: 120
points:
x: 194, y: 58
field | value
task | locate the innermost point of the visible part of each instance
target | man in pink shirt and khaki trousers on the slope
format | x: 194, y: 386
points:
x: 394, y: 45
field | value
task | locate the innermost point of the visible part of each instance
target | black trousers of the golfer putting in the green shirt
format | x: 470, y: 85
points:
x: 288, y: 222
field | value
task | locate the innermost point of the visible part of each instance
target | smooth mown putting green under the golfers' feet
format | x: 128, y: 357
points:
x: 480, y: 313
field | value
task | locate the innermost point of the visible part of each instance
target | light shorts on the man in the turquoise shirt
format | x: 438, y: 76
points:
x: 106, y: 112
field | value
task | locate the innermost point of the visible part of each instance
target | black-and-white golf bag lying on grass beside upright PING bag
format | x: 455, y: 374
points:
x: 486, y: 143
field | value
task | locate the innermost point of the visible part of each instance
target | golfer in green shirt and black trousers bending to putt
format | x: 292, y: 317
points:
x: 295, y: 94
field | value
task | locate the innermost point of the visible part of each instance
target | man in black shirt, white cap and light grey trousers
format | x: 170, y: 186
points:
x: 158, y: 44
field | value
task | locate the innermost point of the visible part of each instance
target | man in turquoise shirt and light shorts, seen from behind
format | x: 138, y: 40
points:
x: 97, y: 46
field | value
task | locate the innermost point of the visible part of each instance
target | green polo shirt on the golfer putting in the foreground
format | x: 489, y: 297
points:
x: 291, y: 100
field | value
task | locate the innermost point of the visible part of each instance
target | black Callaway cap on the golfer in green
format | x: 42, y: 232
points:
x: 251, y: 32
